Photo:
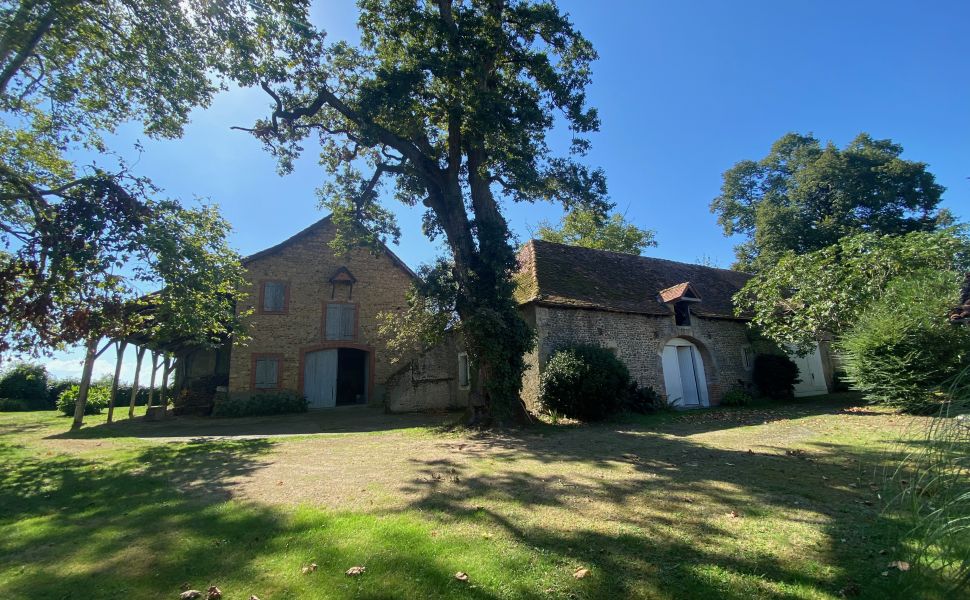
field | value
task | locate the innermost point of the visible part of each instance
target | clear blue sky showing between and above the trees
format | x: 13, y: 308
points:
x: 684, y: 89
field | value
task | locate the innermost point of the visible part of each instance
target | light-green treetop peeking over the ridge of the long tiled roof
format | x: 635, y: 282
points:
x: 590, y: 229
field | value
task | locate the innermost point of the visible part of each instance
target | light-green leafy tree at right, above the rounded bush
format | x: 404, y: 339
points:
x: 805, y: 297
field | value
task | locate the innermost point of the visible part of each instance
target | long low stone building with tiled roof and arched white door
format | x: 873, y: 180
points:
x: 671, y: 323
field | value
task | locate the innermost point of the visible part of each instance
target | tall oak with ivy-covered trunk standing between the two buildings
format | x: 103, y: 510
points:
x: 452, y: 101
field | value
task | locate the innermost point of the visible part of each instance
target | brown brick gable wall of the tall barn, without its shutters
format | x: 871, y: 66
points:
x: 306, y: 265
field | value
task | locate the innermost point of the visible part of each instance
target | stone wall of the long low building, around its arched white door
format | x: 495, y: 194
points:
x: 638, y: 340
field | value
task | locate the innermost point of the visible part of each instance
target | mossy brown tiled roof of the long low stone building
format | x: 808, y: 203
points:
x: 556, y: 274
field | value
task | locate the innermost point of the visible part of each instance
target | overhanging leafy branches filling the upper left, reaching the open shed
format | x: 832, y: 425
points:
x: 81, y: 240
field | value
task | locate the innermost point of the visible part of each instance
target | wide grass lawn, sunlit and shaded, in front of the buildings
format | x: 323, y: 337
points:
x: 762, y: 502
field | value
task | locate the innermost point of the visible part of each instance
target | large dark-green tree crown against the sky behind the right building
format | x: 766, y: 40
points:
x: 804, y: 197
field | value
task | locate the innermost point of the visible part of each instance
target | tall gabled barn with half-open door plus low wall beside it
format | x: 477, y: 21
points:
x: 314, y: 331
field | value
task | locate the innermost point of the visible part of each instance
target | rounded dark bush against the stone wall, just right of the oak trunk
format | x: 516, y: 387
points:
x: 584, y: 382
